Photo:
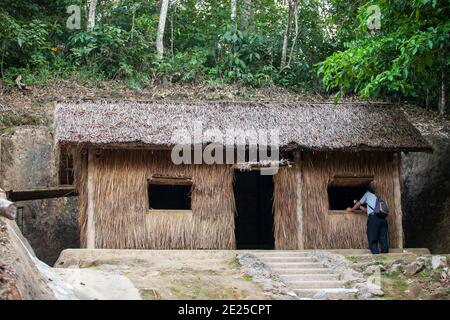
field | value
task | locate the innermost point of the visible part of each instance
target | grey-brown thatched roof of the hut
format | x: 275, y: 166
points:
x: 316, y: 126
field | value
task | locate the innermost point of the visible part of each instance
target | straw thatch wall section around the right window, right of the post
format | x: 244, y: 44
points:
x: 323, y: 230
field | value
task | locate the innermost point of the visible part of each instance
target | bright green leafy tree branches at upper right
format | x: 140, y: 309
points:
x: 405, y: 58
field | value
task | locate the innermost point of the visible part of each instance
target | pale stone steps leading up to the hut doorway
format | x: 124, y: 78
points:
x: 305, y: 275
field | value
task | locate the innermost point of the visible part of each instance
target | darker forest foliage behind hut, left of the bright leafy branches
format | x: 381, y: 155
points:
x: 200, y: 43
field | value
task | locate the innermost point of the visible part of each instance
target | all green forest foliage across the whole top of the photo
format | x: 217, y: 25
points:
x: 334, y: 51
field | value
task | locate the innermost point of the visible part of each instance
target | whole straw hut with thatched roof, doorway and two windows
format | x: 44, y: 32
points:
x: 133, y: 196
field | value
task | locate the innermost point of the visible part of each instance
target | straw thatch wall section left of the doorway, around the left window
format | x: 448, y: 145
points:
x: 122, y: 218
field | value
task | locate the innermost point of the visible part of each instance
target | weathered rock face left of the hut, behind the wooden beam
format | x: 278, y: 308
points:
x: 28, y: 161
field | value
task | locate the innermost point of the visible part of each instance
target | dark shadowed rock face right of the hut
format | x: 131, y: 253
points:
x: 426, y: 197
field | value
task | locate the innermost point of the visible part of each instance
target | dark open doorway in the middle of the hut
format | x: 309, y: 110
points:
x: 253, y: 194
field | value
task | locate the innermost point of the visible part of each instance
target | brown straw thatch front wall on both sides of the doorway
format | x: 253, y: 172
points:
x: 122, y: 218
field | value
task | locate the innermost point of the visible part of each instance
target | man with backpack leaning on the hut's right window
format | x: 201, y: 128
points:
x: 377, y: 227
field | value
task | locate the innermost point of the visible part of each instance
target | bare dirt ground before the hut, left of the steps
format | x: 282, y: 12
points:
x: 173, y: 274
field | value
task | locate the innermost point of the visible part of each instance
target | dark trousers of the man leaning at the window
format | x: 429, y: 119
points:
x: 377, y: 232
